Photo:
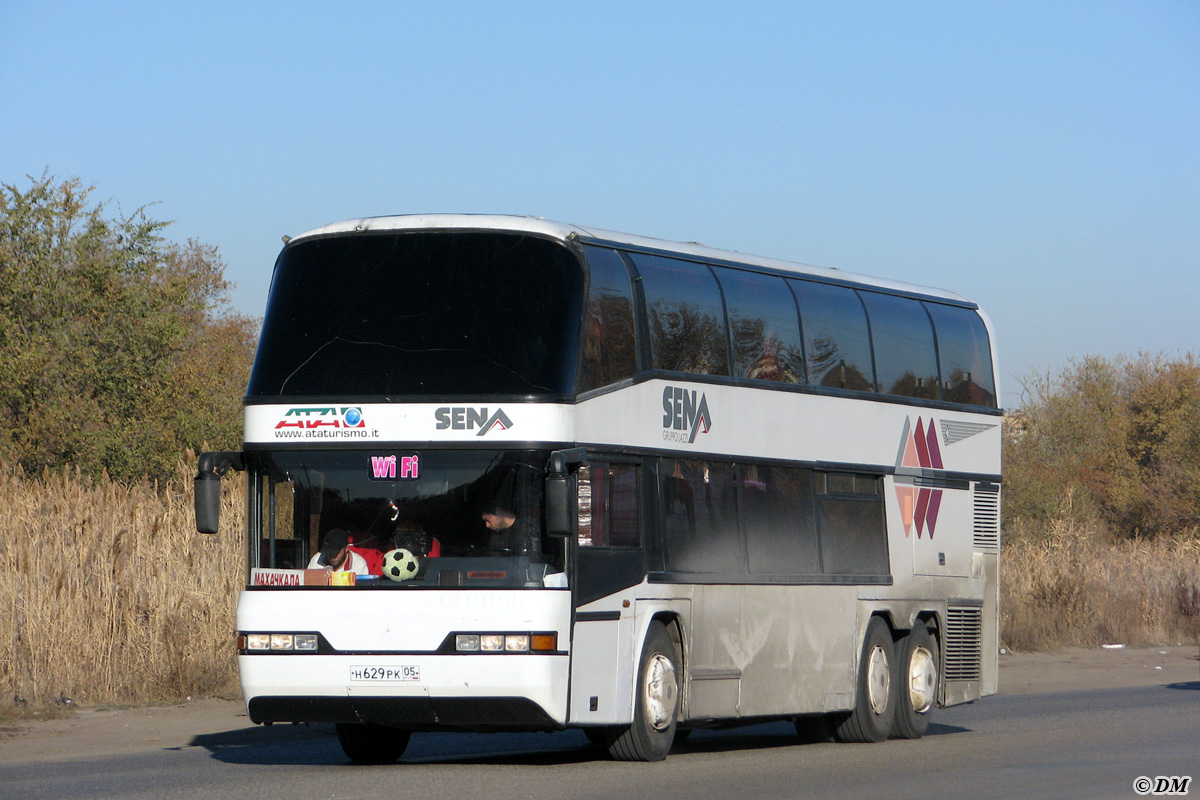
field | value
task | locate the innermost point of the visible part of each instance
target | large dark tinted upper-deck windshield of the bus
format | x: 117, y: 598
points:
x: 395, y: 315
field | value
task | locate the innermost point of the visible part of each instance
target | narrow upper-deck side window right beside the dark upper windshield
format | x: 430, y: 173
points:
x: 609, y: 353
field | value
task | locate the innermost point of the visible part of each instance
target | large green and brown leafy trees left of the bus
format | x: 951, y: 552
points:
x: 117, y: 347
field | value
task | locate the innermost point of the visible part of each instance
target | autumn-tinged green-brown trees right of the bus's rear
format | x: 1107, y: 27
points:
x: 1115, y: 443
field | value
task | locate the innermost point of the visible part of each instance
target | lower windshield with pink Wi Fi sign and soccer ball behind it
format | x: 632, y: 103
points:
x: 470, y: 519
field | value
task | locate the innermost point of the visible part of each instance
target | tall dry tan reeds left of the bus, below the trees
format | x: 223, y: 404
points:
x: 109, y: 594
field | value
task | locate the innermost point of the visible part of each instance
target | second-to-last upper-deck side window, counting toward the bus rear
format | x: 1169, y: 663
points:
x: 905, y: 358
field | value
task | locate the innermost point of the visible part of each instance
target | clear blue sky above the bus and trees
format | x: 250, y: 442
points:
x: 1042, y: 159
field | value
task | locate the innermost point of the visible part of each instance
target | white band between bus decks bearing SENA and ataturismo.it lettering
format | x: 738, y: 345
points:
x: 743, y: 423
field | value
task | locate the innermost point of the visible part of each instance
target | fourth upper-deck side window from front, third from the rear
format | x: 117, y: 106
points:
x: 836, y: 340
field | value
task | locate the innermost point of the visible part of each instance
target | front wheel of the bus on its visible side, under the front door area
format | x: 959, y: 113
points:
x: 656, y: 702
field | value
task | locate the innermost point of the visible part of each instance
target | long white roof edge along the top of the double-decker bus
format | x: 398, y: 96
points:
x: 566, y: 232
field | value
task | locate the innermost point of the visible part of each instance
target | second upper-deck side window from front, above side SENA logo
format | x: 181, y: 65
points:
x: 686, y: 316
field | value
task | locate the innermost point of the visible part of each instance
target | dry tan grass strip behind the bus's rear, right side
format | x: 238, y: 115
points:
x: 1070, y: 586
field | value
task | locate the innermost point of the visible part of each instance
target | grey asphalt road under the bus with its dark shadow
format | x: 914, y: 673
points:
x: 1083, y: 744
